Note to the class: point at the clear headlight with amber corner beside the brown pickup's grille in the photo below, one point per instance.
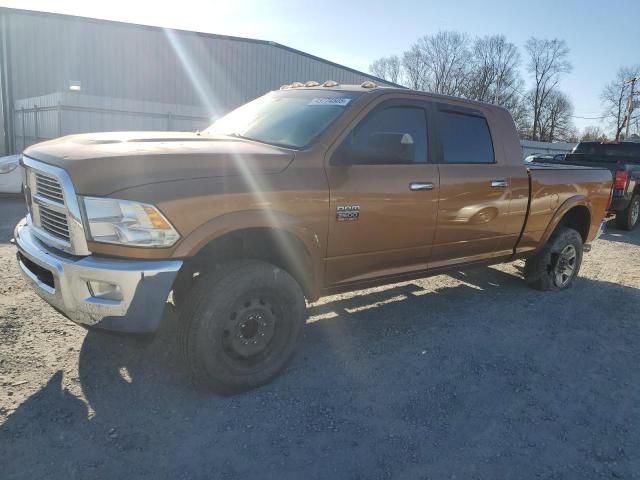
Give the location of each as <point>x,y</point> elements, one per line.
<point>127,223</point>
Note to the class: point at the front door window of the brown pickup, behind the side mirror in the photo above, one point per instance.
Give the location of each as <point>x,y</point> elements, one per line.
<point>388,135</point>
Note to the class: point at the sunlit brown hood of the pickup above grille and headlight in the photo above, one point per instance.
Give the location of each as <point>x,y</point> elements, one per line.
<point>104,163</point>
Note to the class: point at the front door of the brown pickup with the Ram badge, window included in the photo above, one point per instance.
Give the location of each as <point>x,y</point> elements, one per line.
<point>383,195</point>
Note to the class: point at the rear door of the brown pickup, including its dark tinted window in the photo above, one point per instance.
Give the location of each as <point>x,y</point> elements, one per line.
<point>474,191</point>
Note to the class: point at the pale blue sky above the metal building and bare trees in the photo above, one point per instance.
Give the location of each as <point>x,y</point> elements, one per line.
<point>602,35</point>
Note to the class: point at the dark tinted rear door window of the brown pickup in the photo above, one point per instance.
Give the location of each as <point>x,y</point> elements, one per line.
<point>465,138</point>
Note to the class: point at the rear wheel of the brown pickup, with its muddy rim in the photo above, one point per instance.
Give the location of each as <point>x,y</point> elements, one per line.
<point>556,266</point>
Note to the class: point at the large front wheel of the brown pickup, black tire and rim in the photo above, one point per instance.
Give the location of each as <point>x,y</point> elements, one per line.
<point>240,325</point>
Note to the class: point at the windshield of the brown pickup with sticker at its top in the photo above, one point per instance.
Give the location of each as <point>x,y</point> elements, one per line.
<point>289,118</point>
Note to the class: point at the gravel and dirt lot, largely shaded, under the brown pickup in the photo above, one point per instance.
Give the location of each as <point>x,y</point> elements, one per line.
<point>471,375</point>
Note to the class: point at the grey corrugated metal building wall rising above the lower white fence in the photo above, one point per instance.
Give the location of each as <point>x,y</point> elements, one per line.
<point>147,64</point>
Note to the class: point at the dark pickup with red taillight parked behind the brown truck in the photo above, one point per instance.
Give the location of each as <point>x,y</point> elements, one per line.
<point>623,160</point>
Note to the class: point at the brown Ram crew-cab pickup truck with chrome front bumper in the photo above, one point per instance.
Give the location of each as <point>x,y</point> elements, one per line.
<point>307,191</point>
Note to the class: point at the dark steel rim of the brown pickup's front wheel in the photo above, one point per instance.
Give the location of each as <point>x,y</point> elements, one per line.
<point>250,329</point>
